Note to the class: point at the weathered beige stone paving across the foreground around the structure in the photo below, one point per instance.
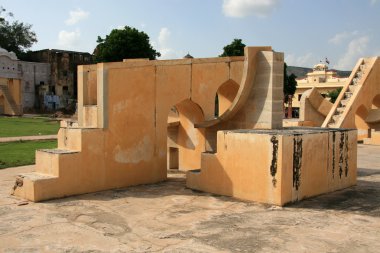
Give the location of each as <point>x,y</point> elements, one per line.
<point>167,217</point>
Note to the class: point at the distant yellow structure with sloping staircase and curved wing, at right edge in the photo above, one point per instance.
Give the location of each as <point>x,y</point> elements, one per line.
<point>357,106</point>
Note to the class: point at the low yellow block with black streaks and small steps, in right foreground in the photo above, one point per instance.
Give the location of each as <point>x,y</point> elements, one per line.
<point>278,166</point>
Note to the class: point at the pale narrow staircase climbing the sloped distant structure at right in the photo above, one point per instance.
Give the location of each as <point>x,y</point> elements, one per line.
<point>347,95</point>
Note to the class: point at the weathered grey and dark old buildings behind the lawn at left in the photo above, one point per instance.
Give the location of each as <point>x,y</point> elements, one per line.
<point>48,81</point>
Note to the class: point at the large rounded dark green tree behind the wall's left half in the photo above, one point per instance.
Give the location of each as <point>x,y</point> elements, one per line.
<point>124,43</point>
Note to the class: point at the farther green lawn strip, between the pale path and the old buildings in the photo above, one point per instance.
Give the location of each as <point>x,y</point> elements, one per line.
<point>14,126</point>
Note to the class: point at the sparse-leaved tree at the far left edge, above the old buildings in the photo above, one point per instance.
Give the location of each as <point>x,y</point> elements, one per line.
<point>15,36</point>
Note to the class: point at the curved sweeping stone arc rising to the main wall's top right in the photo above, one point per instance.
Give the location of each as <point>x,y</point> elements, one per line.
<point>249,73</point>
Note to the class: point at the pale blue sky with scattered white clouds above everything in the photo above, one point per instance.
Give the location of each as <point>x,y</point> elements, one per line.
<point>306,31</point>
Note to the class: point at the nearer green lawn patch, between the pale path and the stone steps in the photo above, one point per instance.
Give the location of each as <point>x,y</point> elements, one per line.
<point>20,153</point>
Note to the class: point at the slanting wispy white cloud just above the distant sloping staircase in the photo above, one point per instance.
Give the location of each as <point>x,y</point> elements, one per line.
<point>355,49</point>
